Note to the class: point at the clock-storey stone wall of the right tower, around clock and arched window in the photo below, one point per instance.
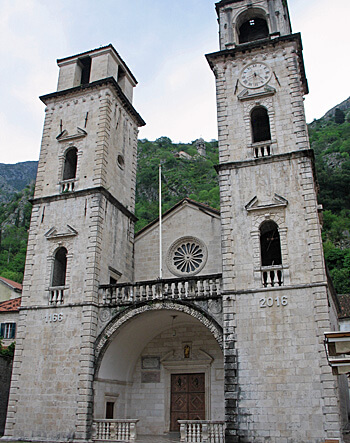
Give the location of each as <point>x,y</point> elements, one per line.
<point>283,101</point>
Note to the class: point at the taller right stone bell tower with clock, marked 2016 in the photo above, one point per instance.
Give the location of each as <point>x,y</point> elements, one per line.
<point>277,301</point>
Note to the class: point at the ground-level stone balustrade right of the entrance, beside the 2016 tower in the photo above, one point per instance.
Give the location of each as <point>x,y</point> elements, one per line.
<point>202,431</point>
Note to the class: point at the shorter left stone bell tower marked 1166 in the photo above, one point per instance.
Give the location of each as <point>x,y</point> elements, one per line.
<point>83,205</point>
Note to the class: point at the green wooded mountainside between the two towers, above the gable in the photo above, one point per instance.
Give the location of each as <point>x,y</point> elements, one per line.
<point>184,174</point>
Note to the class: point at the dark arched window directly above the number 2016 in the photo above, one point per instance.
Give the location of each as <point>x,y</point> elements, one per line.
<point>270,244</point>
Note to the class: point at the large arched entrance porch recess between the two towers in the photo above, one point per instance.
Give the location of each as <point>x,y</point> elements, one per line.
<point>160,363</point>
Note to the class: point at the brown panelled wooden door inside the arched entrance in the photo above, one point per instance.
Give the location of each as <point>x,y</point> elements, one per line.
<point>187,398</point>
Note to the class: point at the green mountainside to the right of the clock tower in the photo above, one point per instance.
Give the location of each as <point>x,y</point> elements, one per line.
<point>330,139</point>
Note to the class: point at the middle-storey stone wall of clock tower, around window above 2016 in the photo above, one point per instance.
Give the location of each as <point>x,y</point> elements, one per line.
<point>288,176</point>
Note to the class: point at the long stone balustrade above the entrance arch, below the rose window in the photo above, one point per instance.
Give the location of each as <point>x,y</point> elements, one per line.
<point>208,286</point>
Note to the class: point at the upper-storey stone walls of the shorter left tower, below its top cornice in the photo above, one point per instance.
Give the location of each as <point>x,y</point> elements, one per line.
<point>105,139</point>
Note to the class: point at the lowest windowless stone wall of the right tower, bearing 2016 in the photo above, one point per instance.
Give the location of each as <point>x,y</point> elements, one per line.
<point>286,388</point>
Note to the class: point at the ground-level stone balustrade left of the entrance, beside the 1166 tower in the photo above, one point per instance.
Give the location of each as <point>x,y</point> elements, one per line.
<point>114,430</point>
